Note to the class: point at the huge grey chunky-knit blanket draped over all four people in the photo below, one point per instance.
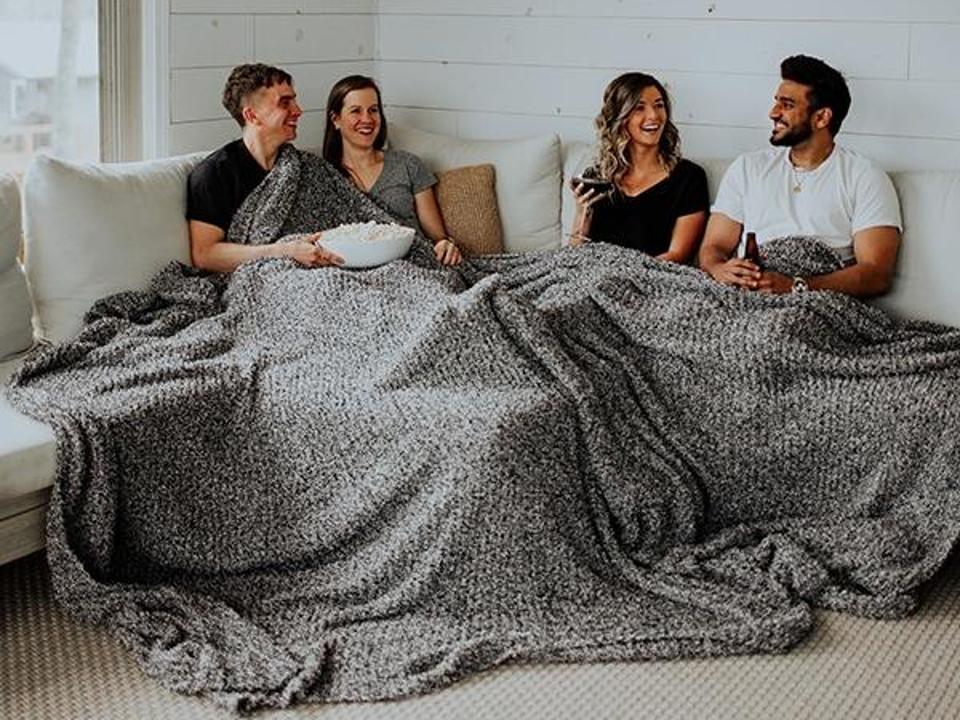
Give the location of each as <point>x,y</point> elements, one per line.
<point>291,484</point>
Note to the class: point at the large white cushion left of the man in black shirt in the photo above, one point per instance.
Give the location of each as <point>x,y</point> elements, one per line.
<point>95,229</point>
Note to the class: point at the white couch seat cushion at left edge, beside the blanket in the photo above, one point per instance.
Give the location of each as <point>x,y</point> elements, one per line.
<point>28,449</point>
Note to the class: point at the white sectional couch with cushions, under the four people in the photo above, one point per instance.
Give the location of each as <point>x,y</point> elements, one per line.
<point>90,230</point>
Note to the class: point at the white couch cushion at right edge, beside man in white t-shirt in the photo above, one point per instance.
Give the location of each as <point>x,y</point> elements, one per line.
<point>925,286</point>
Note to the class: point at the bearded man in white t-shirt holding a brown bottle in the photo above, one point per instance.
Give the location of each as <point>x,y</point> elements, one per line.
<point>806,185</point>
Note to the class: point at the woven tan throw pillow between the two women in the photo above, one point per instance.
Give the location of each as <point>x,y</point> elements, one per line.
<point>468,203</point>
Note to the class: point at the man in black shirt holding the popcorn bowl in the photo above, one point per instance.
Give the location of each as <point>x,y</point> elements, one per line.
<point>262,101</point>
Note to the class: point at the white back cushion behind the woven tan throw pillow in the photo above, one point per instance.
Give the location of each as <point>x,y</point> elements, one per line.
<point>527,178</point>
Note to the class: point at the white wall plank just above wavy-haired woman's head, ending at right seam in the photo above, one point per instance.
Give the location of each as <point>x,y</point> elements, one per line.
<point>863,50</point>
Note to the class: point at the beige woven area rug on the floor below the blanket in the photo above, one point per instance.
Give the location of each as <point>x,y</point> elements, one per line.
<point>53,668</point>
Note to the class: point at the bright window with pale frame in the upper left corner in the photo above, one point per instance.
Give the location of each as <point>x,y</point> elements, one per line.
<point>70,79</point>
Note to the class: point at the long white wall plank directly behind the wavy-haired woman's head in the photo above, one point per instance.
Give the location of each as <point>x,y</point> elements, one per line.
<point>881,107</point>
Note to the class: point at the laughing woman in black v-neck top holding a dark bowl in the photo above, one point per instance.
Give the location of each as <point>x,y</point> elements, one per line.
<point>657,202</point>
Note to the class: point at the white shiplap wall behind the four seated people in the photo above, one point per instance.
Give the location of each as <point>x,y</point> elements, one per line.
<point>509,68</point>
